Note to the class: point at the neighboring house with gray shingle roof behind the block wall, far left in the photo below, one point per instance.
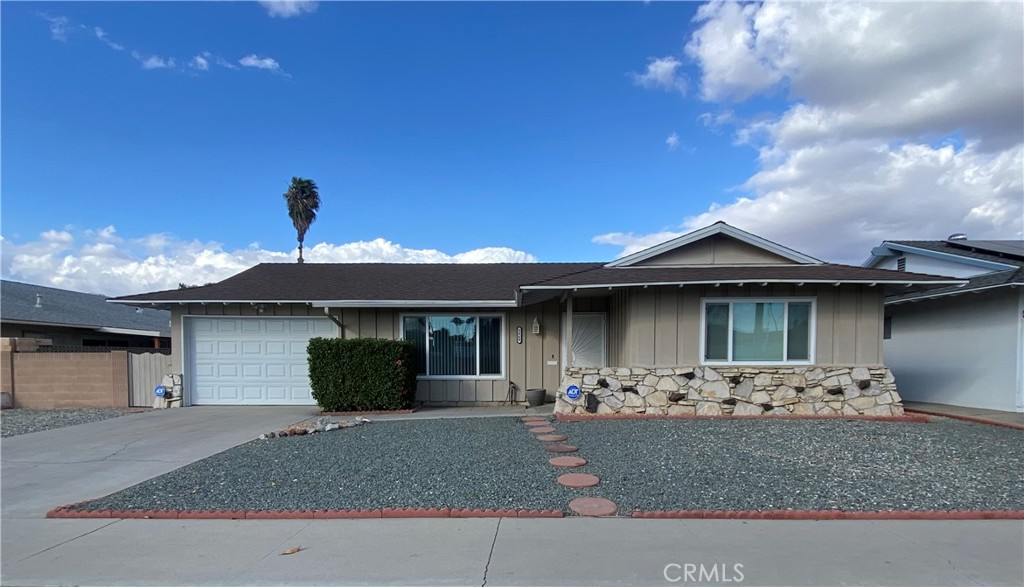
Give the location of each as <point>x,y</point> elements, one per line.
<point>75,319</point>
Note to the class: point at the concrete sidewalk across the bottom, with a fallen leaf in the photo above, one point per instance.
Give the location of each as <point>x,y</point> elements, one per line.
<point>570,552</point>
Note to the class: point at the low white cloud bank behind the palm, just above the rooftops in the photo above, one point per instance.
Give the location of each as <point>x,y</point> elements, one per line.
<point>103,262</point>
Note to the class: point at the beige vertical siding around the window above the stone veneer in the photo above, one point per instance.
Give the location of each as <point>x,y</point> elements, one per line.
<point>661,326</point>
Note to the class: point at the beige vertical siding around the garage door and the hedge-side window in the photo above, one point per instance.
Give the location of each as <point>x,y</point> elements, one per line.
<point>527,364</point>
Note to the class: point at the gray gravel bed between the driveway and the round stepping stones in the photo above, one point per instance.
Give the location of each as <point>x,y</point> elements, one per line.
<point>465,463</point>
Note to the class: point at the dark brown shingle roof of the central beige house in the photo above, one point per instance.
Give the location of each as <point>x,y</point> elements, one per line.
<point>485,282</point>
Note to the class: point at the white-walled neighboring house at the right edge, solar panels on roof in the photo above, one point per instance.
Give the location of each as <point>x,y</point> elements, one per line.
<point>958,346</point>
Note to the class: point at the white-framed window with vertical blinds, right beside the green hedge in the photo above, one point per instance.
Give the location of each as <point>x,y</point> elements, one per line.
<point>457,346</point>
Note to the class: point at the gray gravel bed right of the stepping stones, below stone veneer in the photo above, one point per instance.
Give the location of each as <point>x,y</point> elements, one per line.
<point>802,465</point>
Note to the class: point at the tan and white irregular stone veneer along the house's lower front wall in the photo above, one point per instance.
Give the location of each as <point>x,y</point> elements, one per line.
<point>737,391</point>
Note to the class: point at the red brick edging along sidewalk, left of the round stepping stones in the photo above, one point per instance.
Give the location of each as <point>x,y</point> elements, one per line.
<point>388,513</point>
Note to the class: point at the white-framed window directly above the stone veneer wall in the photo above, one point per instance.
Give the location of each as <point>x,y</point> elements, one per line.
<point>757,331</point>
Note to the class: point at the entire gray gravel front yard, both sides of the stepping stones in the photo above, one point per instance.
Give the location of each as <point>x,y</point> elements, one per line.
<point>644,465</point>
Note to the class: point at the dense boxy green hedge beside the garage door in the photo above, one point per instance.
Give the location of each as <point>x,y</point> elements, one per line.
<point>362,374</point>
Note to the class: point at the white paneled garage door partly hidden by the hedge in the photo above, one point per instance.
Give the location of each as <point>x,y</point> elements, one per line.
<point>251,361</point>
